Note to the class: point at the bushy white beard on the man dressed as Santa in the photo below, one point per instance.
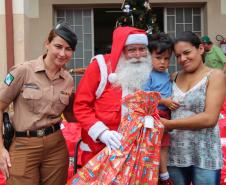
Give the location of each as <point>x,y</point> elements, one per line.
<point>133,73</point>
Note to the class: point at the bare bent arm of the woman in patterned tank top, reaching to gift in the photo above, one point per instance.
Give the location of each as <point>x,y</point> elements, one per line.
<point>216,91</point>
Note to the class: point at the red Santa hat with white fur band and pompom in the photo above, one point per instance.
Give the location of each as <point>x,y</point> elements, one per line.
<point>123,36</point>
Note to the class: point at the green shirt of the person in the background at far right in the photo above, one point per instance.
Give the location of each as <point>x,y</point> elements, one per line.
<point>215,58</point>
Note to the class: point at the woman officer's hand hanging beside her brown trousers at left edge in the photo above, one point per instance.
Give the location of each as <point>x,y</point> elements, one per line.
<point>5,162</point>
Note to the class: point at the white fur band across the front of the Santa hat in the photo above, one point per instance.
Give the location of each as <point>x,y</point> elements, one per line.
<point>137,39</point>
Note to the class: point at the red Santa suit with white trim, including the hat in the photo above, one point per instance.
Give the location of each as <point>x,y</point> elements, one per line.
<point>95,110</point>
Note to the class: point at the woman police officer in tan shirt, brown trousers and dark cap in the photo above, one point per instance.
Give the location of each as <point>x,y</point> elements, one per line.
<point>39,90</point>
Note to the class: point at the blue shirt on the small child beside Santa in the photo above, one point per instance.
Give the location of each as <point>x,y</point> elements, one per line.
<point>160,82</point>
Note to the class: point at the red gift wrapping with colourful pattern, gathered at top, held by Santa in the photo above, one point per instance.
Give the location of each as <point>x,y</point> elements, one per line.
<point>137,160</point>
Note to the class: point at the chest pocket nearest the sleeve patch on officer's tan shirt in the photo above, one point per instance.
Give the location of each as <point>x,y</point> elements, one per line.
<point>32,98</point>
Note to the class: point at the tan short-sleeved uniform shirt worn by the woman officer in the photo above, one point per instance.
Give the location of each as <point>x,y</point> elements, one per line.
<point>38,100</point>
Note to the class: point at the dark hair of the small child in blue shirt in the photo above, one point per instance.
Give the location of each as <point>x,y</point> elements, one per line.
<point>160,42</point>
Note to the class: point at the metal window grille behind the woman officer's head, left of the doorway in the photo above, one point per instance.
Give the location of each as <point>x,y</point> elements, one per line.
<point>81,20</point>
